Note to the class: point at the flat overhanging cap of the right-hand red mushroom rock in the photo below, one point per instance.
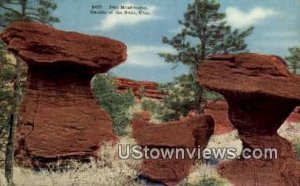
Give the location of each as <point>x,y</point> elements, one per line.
<point>249,73</point>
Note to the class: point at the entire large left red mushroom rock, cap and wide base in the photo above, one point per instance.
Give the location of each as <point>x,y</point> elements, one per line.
<point>59,117</point>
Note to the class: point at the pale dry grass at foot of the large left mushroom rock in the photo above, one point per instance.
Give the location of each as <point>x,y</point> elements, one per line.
<point>109,170</point>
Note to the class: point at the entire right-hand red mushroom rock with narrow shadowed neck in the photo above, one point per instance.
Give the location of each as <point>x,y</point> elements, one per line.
<point>261,93</point>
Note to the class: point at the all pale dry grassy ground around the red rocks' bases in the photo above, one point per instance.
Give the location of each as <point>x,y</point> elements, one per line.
<point>109,170</point>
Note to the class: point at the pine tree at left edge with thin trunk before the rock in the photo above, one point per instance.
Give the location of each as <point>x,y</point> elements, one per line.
<point>19,10</point>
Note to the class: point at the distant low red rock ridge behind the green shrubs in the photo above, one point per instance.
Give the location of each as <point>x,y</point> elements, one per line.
<point>140,88</point>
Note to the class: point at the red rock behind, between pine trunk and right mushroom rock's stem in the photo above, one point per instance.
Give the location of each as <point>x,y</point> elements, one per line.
<point>219,112</point>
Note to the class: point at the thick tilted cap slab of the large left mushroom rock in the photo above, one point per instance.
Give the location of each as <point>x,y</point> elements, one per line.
<point>39,44</point>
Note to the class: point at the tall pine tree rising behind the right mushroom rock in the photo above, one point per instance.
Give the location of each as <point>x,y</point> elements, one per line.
<point>204,33</point>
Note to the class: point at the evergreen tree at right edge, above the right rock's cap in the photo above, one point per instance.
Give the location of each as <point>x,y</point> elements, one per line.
<point>294,60</point>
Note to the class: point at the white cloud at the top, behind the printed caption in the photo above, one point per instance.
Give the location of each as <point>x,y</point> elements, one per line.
<point>113,20</point>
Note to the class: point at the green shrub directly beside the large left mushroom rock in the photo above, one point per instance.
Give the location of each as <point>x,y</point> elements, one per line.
<point>116,104</point>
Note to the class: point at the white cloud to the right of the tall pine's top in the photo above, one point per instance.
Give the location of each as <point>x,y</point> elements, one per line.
<point>238,19</point>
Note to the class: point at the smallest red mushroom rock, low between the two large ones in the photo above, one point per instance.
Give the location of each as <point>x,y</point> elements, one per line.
<point>189,133</point>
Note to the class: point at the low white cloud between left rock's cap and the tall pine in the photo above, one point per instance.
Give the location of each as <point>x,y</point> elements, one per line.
<point>146,55</point>
